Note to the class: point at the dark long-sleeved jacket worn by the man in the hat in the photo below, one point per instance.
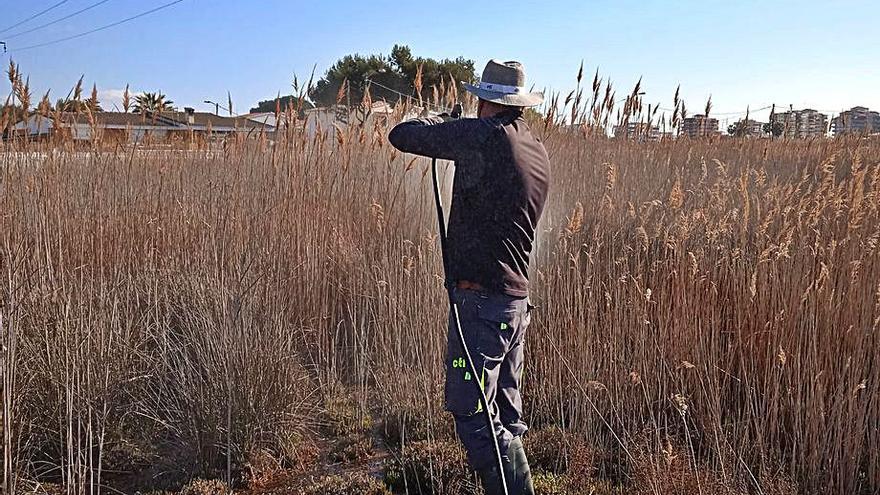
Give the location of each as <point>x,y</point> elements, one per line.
<point>501,179</point>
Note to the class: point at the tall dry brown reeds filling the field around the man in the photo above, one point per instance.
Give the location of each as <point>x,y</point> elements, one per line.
<point>185,312</point>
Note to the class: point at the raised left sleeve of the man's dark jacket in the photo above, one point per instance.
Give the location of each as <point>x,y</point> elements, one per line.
<point>432,137</point>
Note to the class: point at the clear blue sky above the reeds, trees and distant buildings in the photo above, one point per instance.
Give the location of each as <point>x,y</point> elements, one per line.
<point>823,55</point>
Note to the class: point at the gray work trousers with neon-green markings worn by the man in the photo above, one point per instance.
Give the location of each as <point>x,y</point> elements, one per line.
<point>494,328</point>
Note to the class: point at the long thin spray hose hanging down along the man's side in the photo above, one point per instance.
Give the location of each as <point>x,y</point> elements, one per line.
<point>453,310</point>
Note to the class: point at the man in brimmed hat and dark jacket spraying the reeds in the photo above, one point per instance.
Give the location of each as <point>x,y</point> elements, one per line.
<point>501,179</point>
